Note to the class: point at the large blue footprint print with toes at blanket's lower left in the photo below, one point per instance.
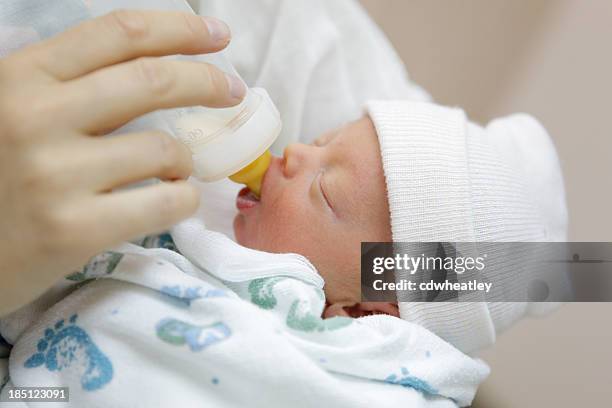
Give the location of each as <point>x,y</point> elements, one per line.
<point>70,347</point>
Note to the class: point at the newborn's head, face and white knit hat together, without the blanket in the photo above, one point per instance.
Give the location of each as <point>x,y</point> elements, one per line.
<point>437,177</point>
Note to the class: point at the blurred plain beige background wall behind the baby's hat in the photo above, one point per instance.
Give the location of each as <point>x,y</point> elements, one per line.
<point>553,59</point>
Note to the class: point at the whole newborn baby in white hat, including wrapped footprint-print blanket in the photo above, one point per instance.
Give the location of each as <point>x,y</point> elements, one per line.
<point>210,320</point>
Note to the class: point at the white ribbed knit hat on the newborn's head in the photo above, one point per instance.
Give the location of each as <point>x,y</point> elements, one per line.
<point>450,180</point>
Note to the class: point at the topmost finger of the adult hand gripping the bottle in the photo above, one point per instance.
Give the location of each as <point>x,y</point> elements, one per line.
<point>124,35</point>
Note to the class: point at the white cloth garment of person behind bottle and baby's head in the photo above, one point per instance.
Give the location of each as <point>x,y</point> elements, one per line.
<point>319,60</point>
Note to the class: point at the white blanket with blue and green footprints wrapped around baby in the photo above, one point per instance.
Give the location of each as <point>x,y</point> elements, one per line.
<point>157,330</point>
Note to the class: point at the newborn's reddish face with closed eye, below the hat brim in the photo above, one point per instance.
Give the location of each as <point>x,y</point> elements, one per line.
<point>321,201</point>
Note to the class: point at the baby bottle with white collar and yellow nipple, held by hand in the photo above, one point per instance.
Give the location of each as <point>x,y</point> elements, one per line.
<point>224,141</point>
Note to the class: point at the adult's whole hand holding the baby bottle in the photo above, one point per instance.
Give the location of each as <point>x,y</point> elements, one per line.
<point>57,177</point>
